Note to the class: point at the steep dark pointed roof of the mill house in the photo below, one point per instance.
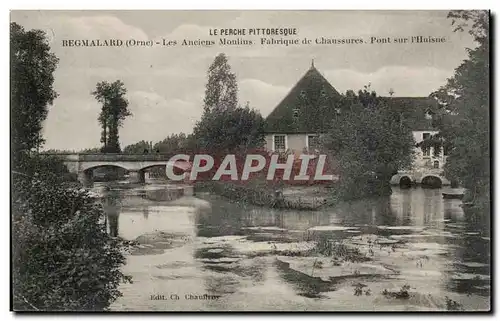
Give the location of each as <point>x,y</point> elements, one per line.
<point>310,100</point>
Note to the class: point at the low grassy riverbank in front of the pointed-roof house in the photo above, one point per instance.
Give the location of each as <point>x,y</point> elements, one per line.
<point>262,194</point>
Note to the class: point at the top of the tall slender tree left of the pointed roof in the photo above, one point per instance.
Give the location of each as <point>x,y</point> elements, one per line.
<point>221,90</point>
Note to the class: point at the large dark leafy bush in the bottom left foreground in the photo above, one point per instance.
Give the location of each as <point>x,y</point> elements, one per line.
<point>63,258</point>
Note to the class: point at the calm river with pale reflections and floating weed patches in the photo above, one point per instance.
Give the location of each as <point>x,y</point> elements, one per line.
<point>208,254</point>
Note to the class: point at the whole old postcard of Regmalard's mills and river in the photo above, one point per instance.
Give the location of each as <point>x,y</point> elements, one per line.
<point>250,161</point>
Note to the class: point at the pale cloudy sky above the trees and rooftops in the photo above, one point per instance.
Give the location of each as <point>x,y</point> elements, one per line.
<point>166,85</point>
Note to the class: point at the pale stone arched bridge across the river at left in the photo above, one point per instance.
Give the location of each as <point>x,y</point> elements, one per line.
<point>136,164</point>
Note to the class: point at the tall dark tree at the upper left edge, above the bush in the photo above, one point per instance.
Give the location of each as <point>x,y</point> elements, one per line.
<point>32,65</point>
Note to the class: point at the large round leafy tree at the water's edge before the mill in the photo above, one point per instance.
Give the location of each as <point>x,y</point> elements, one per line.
<point>369,144</point>
